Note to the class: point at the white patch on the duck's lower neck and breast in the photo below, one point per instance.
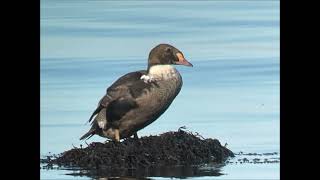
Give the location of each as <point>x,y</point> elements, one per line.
<point>160,72</point>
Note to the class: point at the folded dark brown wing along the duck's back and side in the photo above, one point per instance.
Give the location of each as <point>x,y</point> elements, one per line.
<point>119,99</point>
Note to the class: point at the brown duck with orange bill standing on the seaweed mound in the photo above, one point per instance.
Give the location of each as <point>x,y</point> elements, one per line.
<point>138,98</point>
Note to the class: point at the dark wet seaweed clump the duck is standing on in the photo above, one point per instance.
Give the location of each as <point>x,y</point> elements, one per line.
<point>171,148</point>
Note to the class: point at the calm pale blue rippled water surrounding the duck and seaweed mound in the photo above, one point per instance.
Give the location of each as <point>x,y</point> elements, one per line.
<point>231,93</point>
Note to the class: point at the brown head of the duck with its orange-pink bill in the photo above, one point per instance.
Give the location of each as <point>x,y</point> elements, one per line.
<point>164,54</point>
